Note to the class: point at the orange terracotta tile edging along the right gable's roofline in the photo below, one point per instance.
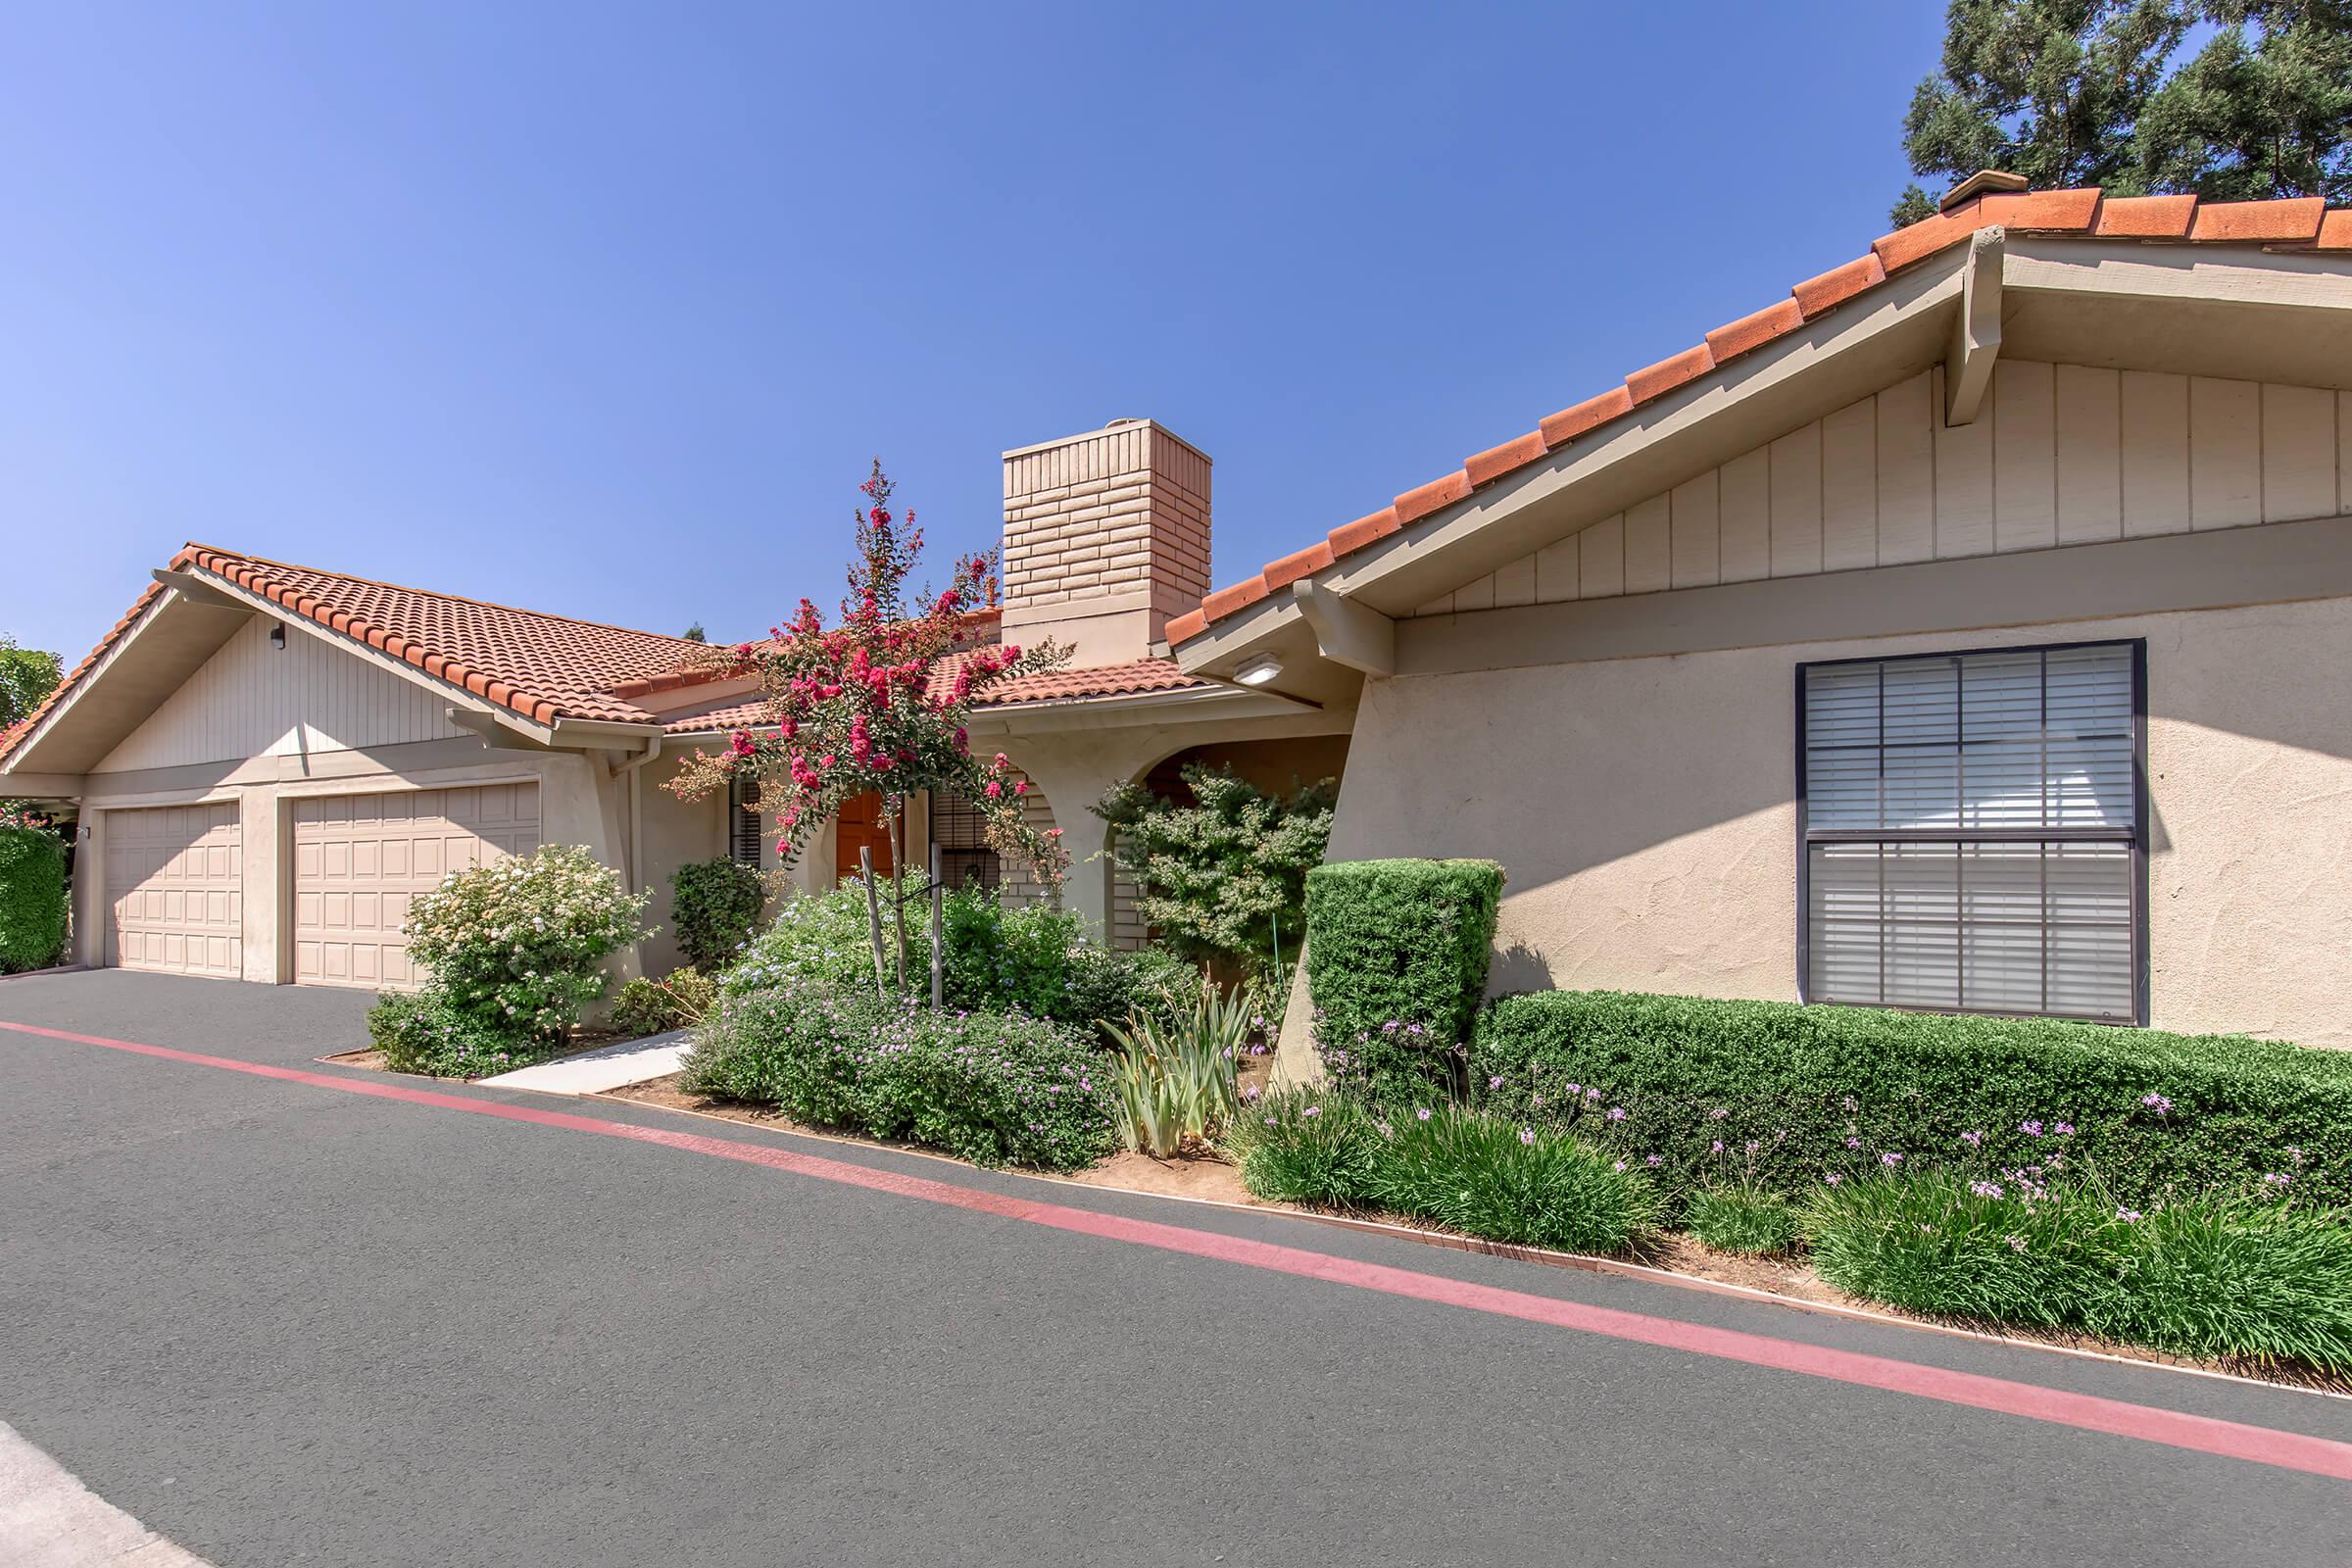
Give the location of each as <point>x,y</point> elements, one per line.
<point>2304,225</point>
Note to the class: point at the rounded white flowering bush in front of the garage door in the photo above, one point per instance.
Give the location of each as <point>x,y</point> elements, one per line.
<point>521,946</point>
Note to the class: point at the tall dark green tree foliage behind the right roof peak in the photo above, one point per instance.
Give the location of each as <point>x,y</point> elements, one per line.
<point>2229,100</point>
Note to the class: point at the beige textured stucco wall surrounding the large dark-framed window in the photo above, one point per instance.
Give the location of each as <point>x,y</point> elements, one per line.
<point>1645,810</point>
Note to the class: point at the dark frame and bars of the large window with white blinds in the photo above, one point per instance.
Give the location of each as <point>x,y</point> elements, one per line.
<point>2137,836</point>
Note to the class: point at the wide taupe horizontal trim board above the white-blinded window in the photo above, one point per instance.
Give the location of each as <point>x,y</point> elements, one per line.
<point>2273,563</point>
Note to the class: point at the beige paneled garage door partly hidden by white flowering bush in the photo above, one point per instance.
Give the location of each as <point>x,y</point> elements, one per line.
<point>359,859</point>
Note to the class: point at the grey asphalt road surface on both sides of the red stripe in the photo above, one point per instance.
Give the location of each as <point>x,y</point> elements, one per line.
<point>288,1325</point>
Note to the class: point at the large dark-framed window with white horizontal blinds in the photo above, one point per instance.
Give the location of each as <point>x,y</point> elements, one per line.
<point>1972,831</point>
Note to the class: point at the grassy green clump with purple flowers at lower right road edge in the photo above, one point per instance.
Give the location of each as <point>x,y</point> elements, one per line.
<point>2210,1278</point>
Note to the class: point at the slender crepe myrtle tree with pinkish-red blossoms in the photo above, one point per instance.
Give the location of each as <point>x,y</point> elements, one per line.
<point>878,706</point>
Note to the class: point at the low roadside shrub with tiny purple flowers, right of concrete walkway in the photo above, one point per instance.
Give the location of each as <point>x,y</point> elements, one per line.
<point>996,1090</point>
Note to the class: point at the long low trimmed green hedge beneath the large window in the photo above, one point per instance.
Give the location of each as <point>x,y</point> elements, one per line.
<point>1789,1094</point>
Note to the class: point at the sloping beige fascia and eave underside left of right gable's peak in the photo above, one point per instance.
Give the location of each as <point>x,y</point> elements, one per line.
<point>1840,356</point>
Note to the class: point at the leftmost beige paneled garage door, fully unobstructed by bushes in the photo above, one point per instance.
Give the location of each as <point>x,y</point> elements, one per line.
<point>175,883</point>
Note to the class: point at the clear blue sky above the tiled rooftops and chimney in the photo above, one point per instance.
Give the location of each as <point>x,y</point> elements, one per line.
<point>606,309</point>
